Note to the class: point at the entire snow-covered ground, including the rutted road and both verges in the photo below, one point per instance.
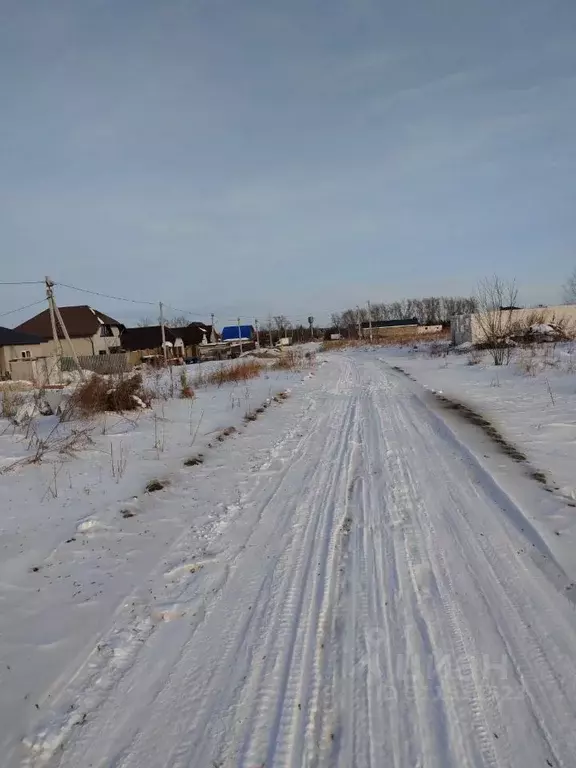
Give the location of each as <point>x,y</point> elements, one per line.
<point>358,578</point>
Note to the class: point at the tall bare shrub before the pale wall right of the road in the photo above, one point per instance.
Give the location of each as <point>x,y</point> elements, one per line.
<point>496,300</point>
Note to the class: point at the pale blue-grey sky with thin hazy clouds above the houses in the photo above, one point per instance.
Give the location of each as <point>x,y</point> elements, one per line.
<point>247,156</point>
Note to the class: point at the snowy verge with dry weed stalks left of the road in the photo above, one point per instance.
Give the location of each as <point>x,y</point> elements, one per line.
<point>78,534</point>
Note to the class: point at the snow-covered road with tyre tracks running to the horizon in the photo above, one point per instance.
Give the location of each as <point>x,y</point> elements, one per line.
<point>371,598</point>
